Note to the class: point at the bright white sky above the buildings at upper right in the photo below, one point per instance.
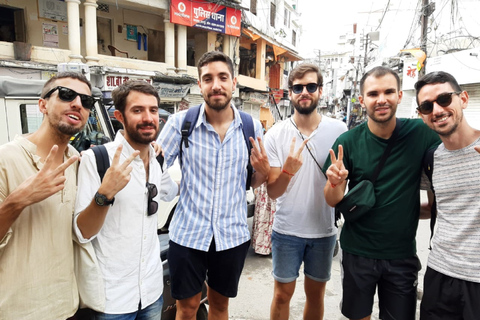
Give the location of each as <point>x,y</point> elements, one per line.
<point>324,21</point>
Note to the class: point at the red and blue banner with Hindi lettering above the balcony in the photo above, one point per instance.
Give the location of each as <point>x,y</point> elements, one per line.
<point>206,15</point>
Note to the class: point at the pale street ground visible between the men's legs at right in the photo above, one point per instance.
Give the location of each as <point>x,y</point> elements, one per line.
<point>256,286</point>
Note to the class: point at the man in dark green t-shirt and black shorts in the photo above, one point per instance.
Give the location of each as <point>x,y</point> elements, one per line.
<point>378,249</point>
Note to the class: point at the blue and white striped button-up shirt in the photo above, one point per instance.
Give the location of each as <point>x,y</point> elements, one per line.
<point>212,200</point>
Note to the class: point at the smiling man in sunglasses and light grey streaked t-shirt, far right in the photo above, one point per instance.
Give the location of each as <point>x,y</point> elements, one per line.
<point>452,280</point>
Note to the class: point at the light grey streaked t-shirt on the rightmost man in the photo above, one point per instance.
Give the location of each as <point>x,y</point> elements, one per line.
<point>456,240</point>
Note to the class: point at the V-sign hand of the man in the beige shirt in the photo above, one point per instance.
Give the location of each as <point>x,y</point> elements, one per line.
<point>48,180</point>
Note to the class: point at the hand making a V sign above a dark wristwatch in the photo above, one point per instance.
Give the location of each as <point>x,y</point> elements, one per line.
<point>118,175</point>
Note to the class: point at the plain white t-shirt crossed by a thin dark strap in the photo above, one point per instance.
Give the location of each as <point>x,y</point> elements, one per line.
<point>302,210</point>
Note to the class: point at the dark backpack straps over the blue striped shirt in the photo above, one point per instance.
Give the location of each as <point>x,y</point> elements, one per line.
<point>247,128</point>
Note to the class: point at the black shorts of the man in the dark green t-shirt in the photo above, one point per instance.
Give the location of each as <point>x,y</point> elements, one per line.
<point>397,287</point>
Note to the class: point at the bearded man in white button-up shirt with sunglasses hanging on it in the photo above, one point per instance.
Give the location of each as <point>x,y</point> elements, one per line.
<point>118,214</point>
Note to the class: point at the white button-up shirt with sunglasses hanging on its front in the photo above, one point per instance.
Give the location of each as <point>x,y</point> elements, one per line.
<point>127,246</point>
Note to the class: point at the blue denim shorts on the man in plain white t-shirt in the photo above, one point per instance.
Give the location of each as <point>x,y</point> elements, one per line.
<point>288,253</point>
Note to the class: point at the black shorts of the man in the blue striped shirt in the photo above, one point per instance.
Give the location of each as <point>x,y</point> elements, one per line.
<point>190,267</point>
